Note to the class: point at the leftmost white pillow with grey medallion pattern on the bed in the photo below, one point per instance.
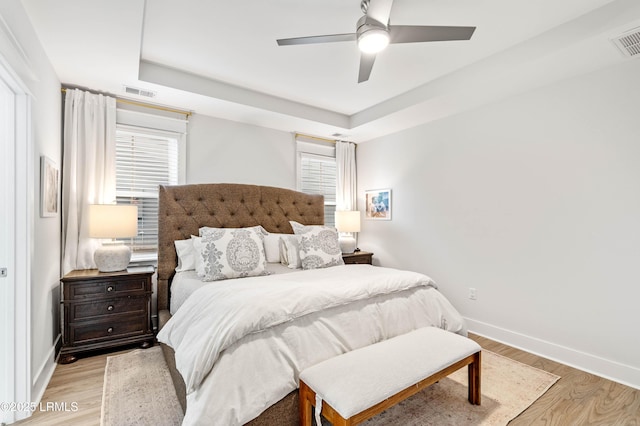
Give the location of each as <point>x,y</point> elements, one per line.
<point>233,253</point>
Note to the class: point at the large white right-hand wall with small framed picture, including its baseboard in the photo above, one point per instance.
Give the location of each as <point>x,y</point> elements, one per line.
<point>533,201</point>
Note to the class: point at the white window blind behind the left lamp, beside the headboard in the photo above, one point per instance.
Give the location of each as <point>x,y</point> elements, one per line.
<point>144,160</point>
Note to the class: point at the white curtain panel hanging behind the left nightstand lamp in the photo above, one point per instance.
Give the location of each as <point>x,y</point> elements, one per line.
<point>88,171</point>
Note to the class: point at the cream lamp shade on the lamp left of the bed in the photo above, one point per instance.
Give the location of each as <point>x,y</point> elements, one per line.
<point>113,221</point>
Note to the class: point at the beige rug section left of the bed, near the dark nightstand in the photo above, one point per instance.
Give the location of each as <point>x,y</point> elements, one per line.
<point>138,391</point>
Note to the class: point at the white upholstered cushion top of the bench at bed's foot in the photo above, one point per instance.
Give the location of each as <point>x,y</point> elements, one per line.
<point>360,379</point>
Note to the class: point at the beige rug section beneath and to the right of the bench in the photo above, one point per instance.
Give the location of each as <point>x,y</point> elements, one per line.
<point>508,388</point>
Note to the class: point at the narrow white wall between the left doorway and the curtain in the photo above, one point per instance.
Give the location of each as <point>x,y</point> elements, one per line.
<point>36,72</point>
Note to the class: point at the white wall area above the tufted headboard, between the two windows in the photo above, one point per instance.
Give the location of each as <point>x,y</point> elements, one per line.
<point>223,151</point>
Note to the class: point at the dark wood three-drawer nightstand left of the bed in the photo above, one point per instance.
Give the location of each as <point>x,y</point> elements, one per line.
<point>105,309</point>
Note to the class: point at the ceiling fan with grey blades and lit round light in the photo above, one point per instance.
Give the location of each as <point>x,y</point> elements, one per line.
<point>374,33</point>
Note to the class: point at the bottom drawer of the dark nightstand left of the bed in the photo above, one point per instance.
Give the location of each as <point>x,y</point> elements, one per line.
<point>106,330</point>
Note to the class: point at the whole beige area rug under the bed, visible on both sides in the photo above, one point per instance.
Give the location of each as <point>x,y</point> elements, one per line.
<point>132,382</point>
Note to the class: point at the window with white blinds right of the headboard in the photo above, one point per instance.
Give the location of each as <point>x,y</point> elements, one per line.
<point>317,174</point>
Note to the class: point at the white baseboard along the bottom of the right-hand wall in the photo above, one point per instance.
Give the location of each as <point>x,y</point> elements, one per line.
<point>612,370</point>
